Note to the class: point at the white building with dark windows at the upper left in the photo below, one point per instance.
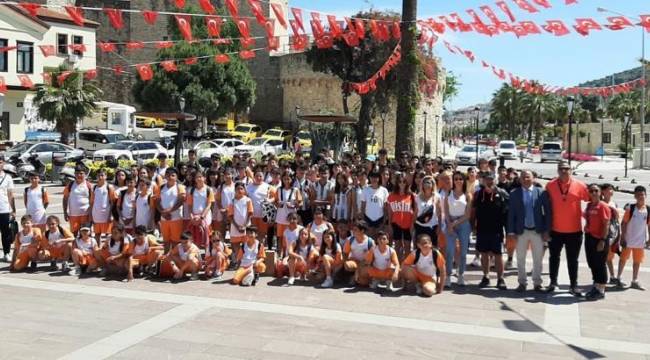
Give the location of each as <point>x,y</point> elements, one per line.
<point>26,33</point>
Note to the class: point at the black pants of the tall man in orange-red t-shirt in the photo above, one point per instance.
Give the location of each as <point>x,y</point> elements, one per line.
<point>572,242</point>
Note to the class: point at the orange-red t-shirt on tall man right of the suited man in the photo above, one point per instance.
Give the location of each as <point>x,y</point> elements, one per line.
<point>566,204</point>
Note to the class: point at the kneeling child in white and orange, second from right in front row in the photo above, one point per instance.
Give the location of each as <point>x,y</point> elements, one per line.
<point>384,265</point>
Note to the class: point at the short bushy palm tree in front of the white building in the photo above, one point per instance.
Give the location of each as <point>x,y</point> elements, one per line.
<point>68,102</point>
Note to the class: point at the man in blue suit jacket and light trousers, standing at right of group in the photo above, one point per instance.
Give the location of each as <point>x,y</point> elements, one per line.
<point>529,223</point>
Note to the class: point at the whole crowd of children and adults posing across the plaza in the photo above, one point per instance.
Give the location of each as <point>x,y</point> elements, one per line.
<point>406,222</point>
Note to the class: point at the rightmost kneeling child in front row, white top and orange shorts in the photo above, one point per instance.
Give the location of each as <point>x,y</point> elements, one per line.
<point>425,267</point>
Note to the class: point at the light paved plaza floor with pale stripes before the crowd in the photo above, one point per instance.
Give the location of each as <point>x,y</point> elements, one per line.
<point>49,315</point>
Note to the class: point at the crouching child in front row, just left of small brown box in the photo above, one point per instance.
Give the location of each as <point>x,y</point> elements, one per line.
<point>251,260</point>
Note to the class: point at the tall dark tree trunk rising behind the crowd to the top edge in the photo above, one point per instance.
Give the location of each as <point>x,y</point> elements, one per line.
<point>407,100</point>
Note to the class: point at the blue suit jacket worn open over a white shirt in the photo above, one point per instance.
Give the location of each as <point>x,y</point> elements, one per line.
<point>541,211</point>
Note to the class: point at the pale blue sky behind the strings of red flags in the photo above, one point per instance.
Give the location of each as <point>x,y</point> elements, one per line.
<point>557,61</point>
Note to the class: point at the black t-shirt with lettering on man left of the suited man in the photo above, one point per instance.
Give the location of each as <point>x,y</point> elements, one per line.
<point>491,211</point>
